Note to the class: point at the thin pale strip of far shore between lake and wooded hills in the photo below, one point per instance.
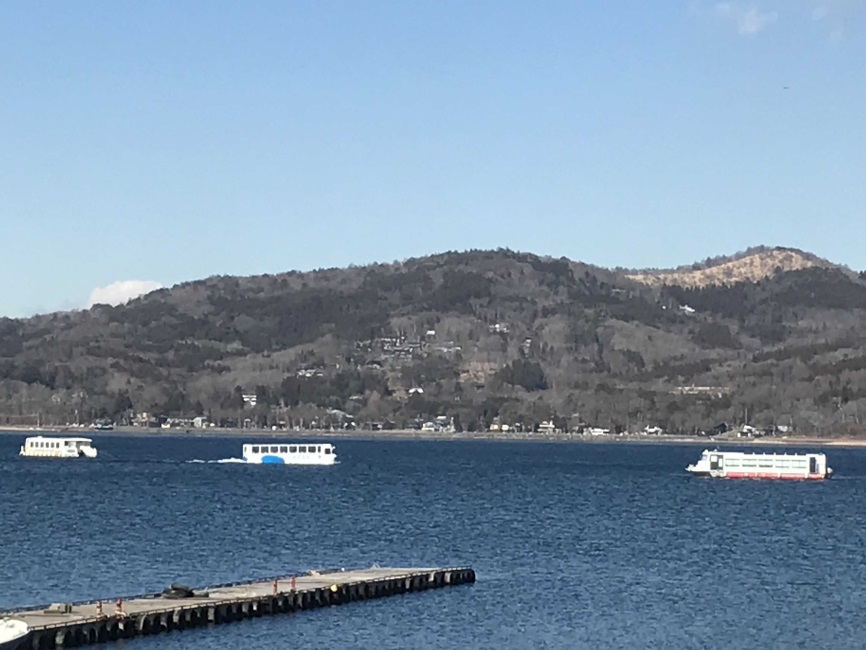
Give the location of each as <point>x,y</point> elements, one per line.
<point>432,436</point>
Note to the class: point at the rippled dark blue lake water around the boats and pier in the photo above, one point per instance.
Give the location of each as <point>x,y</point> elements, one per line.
<point>574,545</point>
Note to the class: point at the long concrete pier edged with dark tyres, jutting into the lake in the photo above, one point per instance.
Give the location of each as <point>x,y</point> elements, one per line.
<point>65,625</point>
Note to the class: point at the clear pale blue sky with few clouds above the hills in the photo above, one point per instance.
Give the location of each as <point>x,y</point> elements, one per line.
<point>143,144</point>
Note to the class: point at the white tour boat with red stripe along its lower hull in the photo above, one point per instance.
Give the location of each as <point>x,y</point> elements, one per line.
<point>736,464</point>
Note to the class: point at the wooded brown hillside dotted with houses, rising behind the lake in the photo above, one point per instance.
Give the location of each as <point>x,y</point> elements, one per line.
<point>477,337</point>
